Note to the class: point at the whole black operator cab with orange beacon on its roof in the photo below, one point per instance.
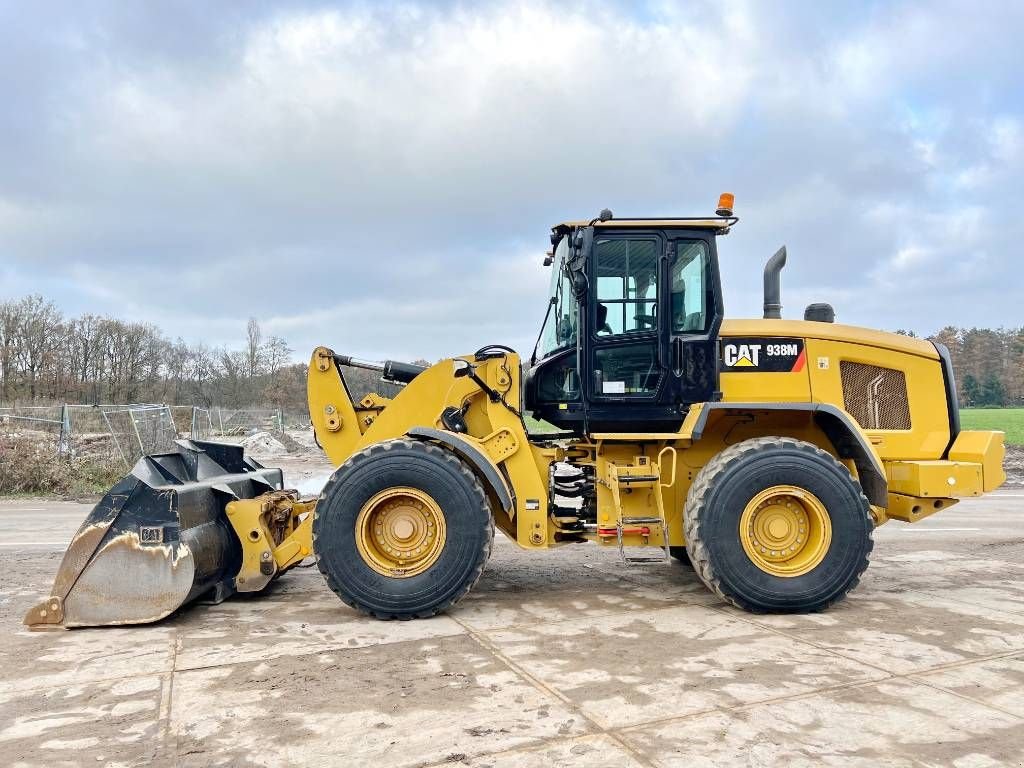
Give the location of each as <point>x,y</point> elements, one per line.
<point>630,339</point>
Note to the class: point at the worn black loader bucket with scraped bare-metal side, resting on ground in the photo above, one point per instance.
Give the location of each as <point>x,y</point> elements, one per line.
<point>157,541</point>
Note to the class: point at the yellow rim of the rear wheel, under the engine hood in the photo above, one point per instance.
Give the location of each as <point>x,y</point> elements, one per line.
<point>786,531</point>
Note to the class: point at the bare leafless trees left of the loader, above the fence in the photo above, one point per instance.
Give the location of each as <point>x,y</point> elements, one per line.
<point>46,357</point>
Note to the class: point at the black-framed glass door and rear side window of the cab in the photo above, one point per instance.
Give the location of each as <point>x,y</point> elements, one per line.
<point>651,337</point>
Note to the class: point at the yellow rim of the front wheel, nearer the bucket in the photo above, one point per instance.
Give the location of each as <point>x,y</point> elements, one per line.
<point>401,533</point>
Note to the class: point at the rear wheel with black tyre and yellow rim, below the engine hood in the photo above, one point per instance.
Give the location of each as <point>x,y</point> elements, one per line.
<point>794,494</point>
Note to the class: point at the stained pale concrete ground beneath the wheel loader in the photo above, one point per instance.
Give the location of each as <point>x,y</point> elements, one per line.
<point>561,659</point>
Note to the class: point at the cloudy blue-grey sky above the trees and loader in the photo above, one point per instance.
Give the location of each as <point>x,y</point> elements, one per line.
<point>381,179</point>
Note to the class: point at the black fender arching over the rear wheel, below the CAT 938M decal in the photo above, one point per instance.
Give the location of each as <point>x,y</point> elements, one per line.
<point>839,428</point>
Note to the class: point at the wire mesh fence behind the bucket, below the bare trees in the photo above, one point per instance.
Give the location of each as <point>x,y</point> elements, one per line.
<point>129,433</point>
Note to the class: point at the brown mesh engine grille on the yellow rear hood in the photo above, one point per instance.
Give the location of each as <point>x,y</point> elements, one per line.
<point>876,397</point>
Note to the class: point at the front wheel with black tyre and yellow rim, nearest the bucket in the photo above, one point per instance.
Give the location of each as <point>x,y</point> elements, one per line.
<point>420,479</point>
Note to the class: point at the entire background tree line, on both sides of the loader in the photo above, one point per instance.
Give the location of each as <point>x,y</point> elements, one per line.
<point>46,357</point>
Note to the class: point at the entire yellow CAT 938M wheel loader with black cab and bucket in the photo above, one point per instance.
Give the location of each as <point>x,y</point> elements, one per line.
<point>764,453</point>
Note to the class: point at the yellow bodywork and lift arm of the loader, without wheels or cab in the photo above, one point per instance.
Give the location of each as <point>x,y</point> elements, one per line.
<point>925,472</point>
